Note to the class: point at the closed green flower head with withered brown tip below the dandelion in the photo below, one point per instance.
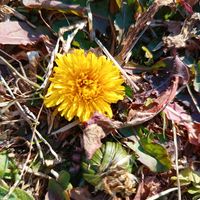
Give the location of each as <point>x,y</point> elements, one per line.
<point>110,170</point>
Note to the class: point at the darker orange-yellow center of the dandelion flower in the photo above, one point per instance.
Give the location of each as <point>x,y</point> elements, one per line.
<point>87,88</point>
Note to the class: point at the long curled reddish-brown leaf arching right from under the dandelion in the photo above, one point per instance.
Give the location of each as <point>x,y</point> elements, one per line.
<point>140,114</point>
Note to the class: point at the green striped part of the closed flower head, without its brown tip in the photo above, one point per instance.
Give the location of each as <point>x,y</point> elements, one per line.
<point>108,157</point>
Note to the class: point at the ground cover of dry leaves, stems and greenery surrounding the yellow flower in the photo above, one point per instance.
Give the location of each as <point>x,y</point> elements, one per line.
<point>150,147</point>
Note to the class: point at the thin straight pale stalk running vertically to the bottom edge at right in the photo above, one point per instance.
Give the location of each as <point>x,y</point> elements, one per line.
<point>176,160</point>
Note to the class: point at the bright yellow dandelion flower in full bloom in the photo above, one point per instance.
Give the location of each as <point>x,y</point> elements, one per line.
<point>82,84</point>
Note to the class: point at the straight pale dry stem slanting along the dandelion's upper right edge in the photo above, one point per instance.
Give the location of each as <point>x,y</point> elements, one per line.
<point>132,84</point>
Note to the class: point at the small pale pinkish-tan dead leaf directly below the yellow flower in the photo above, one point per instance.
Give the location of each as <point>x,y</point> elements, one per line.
<point>92,136</point>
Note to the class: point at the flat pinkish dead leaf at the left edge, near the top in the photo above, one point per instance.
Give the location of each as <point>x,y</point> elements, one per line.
<point>14,32</point>
